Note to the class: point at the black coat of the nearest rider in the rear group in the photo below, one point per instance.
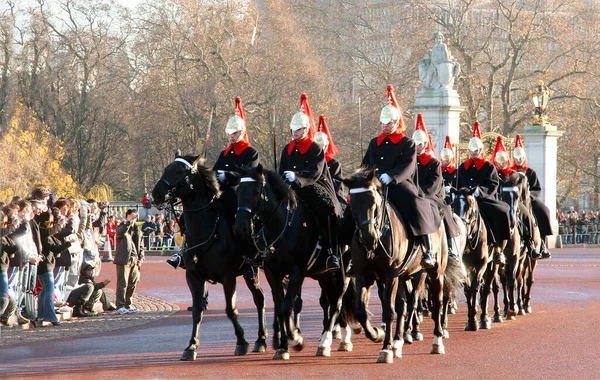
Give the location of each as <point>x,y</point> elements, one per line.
<point>495,213</point>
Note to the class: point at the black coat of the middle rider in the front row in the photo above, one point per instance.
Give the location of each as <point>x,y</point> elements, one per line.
<point>314,184</point>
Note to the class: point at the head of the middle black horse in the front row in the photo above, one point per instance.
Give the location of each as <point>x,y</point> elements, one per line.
<point>260,192</point>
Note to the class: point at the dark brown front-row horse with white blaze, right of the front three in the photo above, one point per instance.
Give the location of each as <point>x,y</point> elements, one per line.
<point>382,250</point>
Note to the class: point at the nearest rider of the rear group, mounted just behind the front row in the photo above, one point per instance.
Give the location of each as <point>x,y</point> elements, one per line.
<point>480,174</point>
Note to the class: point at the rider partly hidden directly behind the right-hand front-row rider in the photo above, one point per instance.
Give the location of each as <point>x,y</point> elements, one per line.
<point>430,181</point>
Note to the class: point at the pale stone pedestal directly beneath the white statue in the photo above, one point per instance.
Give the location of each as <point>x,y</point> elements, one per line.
<point>441,111</point>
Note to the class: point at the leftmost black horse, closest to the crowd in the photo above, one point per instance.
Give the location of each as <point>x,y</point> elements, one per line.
<point>211,253</point>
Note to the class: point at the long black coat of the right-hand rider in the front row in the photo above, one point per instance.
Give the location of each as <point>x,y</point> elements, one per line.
<point>399,162</point>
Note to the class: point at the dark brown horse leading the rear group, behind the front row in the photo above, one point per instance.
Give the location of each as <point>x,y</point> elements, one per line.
<point>477,256</point>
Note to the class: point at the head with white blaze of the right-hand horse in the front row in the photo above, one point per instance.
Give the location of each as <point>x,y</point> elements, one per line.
<point>365,202</point>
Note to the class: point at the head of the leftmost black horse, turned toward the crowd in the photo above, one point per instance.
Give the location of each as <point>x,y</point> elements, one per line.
<point>180,179</point>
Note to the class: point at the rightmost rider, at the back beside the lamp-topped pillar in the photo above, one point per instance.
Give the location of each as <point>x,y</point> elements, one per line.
<point>540,211</point>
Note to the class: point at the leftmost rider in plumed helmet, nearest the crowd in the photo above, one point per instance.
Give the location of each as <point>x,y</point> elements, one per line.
<point>238,154</point>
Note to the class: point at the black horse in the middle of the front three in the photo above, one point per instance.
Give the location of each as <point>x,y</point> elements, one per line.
<point>289,243</point>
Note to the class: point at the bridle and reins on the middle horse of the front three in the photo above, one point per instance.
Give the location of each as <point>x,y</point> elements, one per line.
<point>259,237</point>
